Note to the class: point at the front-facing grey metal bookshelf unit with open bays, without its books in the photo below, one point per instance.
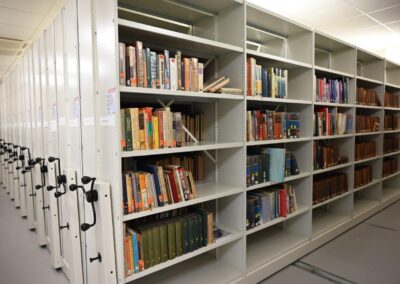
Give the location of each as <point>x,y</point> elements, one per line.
<point>224,35</point>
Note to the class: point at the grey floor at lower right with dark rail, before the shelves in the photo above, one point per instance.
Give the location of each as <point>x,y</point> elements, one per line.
<point>367,254</point>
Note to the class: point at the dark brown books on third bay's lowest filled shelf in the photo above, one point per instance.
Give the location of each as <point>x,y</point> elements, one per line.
<point>327,187</point>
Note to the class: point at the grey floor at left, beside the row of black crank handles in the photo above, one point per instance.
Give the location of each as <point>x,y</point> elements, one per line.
<point>22,261</point>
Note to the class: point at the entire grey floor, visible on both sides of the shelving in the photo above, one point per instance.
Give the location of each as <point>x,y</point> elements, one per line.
<point>368,253</point>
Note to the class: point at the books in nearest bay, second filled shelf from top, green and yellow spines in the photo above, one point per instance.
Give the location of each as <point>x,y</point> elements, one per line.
<point>147,128</point>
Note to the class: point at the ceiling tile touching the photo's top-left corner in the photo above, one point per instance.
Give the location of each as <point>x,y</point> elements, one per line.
<point>40,7</point>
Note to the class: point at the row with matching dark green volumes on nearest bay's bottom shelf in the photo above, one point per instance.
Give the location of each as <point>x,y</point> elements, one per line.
<point>152,242</point>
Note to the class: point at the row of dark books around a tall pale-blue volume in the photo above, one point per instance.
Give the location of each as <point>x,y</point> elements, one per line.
<point>270,164</point>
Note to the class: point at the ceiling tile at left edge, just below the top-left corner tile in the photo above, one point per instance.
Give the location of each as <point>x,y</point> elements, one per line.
<point>13,17</point>
